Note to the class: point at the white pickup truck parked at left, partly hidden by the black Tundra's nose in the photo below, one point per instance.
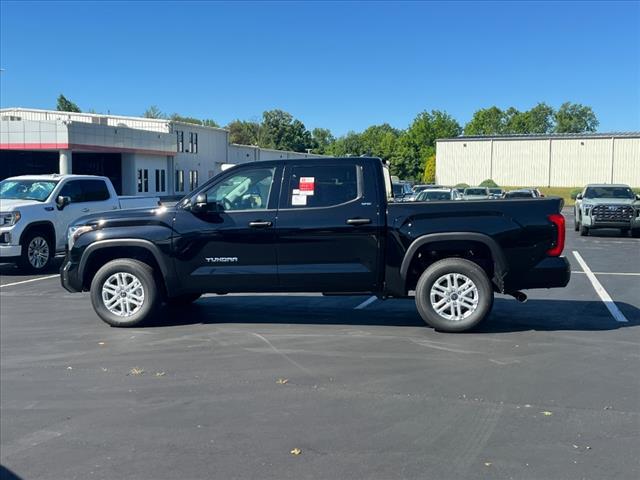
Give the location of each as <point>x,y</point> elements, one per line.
<point>36,211</point>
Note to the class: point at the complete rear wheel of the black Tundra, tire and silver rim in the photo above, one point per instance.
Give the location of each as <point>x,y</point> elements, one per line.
<point>454,295</point>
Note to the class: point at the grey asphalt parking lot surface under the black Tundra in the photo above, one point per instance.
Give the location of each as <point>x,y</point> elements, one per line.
<point>230,386</point>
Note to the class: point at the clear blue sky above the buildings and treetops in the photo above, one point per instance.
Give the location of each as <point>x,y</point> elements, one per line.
<point>339,65</point>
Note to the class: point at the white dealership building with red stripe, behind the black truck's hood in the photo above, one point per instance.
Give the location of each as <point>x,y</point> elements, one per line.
<point>141,156</point>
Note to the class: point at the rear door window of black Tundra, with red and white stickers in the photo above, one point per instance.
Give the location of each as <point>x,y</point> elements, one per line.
<point>322,186</point>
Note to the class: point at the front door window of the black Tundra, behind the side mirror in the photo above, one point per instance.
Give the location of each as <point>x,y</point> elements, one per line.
<point>246,190</point>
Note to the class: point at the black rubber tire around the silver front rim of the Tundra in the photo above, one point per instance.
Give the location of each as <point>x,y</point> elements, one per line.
<point>140,271</point>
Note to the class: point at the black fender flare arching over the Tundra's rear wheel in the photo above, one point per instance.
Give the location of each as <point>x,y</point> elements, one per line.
<point>500,265</point>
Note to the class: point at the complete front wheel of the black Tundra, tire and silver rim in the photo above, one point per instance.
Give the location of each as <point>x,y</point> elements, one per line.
<point>124,293</point>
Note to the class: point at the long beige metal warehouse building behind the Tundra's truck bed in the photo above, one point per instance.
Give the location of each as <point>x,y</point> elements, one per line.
<point>557,160</point>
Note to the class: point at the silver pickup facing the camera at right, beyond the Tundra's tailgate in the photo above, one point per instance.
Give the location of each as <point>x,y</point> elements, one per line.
<point>607,206</point>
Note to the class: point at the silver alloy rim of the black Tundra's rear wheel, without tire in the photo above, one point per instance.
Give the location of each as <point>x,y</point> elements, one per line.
<point>454,296</point>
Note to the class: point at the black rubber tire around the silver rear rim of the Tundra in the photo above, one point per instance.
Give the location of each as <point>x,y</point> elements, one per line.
<point>452,266</point>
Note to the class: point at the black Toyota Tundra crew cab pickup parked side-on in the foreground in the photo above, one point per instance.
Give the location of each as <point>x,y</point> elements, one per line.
<point>316,225</point>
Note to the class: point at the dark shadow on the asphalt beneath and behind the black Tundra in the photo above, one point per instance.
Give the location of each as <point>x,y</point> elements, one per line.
<point>507,315</point>
